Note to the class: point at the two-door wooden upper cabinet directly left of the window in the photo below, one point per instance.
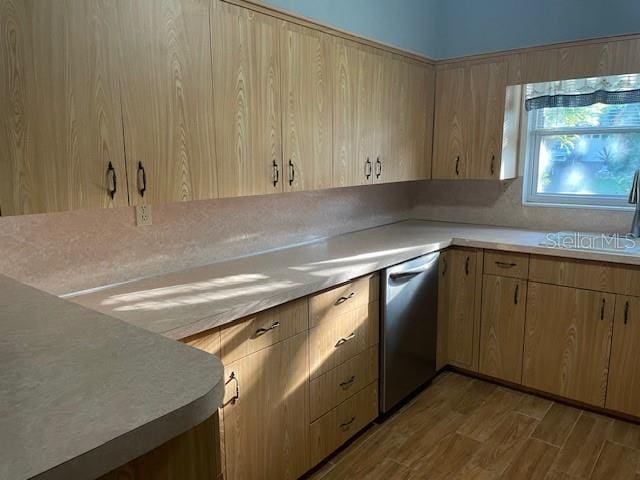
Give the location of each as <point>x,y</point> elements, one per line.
<point>470,112</point>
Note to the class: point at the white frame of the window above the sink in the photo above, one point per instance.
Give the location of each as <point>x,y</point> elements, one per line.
<point>532,139</point>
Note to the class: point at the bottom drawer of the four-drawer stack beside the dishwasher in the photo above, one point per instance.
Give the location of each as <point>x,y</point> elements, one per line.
<point>336,427</point>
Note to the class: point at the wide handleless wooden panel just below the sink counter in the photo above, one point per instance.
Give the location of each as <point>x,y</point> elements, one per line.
<point>599,276</point>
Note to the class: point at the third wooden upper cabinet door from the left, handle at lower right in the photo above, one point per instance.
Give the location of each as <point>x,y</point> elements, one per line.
<point>247,101</point>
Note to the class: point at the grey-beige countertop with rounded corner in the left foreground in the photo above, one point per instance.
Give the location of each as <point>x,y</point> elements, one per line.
<point>82,393</point>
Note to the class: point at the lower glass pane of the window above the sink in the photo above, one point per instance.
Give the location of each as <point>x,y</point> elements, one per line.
<point>588,164</point>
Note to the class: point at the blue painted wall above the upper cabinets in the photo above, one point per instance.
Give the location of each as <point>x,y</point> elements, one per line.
<point>451,28</point>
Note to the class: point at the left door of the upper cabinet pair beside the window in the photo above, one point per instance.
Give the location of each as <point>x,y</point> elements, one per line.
<point>451,142</point>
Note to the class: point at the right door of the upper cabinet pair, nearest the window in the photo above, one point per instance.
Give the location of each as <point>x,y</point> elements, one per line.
<point>487,87</point>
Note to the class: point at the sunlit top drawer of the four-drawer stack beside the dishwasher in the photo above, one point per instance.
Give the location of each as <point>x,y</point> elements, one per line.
<point>343,299</point>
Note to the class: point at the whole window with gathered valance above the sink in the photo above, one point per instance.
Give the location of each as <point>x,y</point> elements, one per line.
<point>579,152</point>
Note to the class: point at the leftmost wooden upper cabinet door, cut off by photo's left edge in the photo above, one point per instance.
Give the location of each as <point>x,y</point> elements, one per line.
<point>61,145</point>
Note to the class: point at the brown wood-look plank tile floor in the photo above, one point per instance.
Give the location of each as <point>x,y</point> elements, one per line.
<point>466,428</point>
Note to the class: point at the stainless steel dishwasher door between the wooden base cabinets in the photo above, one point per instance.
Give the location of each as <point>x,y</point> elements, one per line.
<point>408,328</point>
